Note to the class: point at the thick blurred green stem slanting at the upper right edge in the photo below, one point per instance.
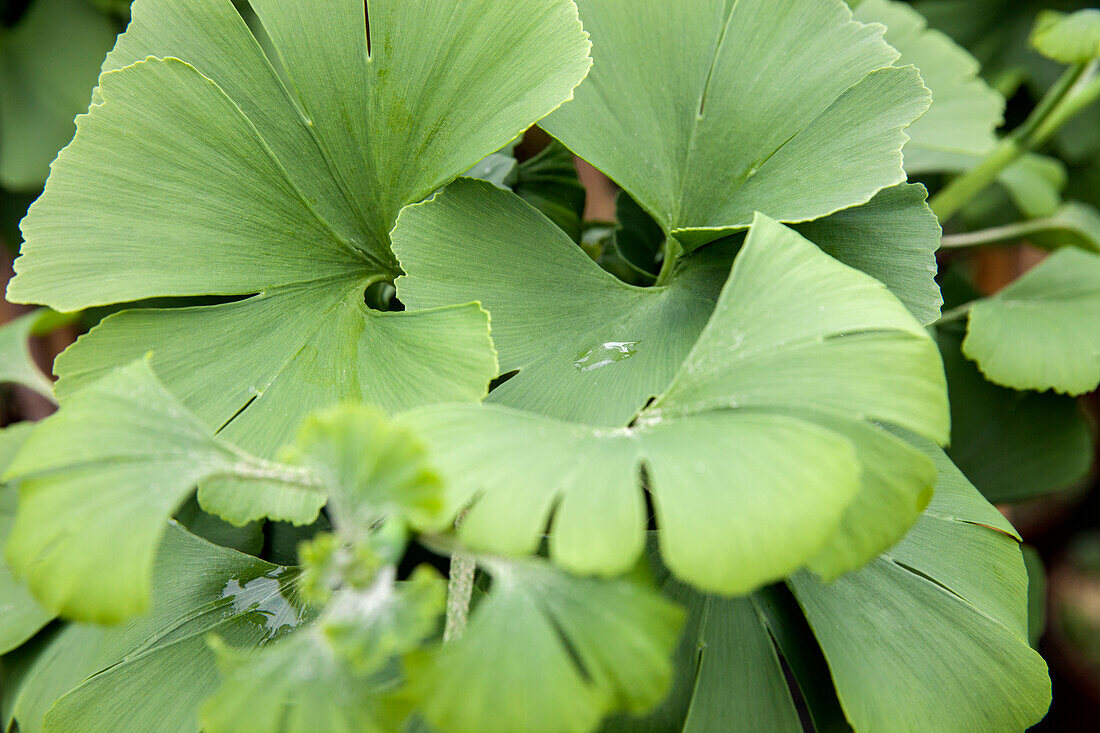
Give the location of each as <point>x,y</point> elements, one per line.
<point>1077,89</point>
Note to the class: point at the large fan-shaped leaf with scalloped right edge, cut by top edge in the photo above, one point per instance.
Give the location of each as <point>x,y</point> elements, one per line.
<point>721,126</point>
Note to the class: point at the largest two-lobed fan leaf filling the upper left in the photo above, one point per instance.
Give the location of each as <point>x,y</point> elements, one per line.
<point>285,191</point>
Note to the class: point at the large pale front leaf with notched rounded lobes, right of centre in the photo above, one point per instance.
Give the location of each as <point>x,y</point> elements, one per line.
<point>744,403</point>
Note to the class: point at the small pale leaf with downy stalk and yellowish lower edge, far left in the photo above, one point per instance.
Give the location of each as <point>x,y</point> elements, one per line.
<point>92,517</point>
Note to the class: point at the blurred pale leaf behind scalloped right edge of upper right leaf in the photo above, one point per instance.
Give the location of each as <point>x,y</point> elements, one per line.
<point>965,112</point>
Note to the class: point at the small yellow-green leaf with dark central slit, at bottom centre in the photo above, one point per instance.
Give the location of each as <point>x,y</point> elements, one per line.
<point>546,651</point>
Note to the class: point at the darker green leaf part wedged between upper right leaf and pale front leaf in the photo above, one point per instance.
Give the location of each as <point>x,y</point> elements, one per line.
<point>893,238</point>
